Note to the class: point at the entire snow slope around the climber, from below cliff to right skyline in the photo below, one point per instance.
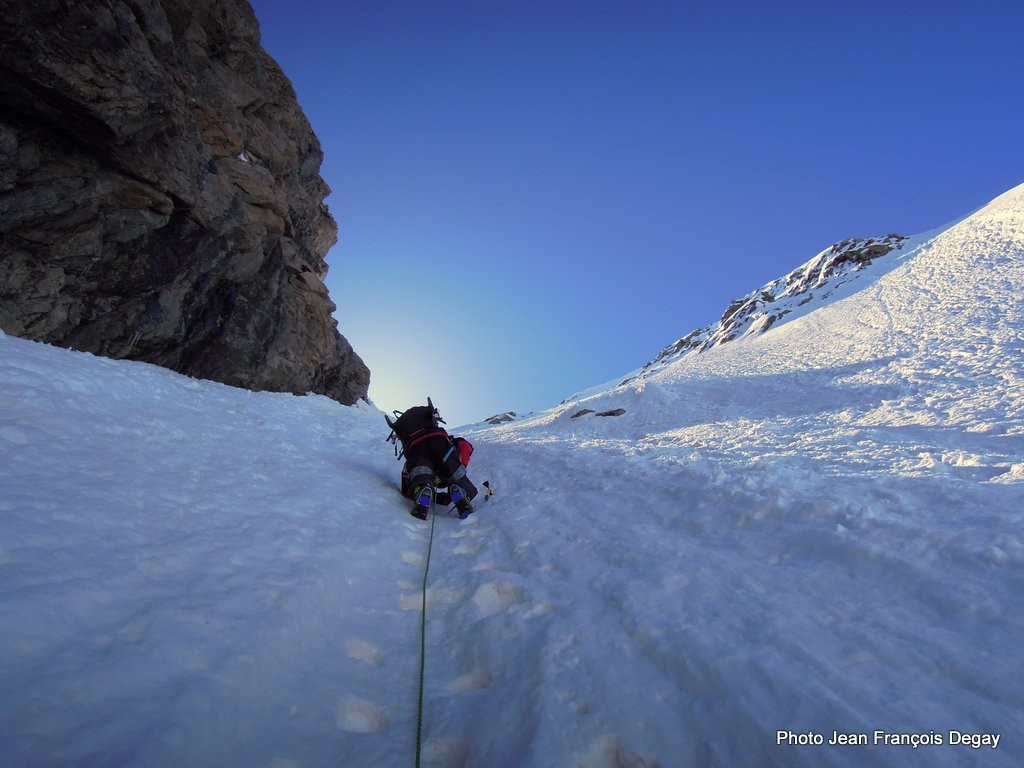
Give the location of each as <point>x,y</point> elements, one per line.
<point>814,530</point>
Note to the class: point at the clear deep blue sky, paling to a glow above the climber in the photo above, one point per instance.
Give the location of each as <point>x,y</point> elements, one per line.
<point>535,198</point>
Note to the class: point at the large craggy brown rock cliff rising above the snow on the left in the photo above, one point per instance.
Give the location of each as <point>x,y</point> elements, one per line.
<point>161,198</point>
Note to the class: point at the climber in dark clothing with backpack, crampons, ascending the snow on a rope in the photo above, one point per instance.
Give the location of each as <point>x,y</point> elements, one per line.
<point>434,459</point>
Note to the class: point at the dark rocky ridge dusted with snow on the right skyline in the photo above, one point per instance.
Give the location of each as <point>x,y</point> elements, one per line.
<point>809,286</point>
